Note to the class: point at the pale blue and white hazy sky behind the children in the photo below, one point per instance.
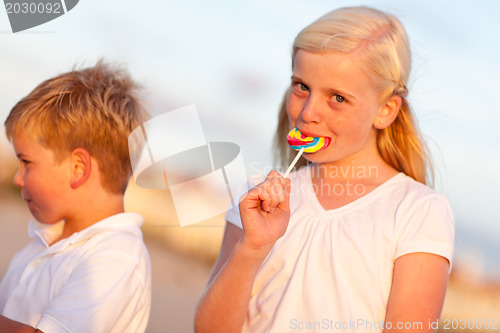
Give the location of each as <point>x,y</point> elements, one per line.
<point>232,60</point>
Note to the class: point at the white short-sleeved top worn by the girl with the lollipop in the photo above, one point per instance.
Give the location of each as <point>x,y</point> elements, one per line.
<point>332,270</point>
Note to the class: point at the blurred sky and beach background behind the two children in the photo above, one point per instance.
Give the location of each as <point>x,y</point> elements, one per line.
<point>232,60</point>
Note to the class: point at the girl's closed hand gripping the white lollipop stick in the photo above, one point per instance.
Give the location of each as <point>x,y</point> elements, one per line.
<point>265,212</point>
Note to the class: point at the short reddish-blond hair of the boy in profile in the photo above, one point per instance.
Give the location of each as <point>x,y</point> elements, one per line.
<point>94,108</point>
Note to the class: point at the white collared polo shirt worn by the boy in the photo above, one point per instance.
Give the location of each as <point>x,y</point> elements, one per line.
<point>96,280</point>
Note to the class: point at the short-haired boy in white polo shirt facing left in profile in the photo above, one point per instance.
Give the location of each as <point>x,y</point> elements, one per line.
<point>89,270</point>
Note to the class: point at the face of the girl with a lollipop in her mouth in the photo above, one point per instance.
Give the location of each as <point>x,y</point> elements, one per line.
<point>330,95</point>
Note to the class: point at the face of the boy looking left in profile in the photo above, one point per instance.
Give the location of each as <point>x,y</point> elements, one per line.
<point>44,184</point>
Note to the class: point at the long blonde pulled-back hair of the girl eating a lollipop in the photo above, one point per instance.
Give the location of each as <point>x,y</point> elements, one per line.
<point>383,43</point>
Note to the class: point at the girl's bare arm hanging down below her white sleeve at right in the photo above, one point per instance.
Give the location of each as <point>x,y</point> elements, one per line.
<point>417,293</point>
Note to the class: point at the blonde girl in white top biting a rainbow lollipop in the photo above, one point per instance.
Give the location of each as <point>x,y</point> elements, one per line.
<point>354,241</point>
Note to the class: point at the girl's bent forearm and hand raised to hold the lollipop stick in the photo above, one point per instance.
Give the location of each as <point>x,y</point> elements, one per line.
<point>264,213</point>
